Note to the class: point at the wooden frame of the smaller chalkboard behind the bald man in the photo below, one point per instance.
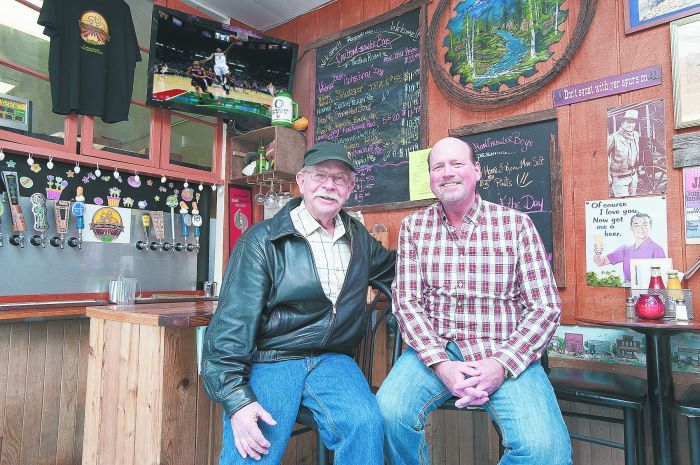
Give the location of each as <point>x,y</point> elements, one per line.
<point>558,245</point>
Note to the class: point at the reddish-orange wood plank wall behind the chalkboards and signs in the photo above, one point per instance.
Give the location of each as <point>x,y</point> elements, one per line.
<point>605,51</point>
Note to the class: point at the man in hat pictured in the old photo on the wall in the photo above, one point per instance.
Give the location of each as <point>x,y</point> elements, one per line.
<point>623,156</point>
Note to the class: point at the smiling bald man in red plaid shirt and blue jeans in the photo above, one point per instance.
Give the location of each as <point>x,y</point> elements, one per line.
<point>477,304</point>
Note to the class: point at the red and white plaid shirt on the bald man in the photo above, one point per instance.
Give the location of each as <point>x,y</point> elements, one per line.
<point>487,287</point>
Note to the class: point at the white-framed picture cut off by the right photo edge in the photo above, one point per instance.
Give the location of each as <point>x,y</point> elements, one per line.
<point>685,57</point>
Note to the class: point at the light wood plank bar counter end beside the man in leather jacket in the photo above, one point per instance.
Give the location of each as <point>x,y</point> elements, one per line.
<point>145,403</point>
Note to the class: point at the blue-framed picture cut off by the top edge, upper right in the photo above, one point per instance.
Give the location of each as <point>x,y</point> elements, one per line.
<point>642,14</point>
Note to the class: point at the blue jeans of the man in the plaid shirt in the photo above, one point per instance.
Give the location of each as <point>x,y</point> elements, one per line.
<point>525,410</point>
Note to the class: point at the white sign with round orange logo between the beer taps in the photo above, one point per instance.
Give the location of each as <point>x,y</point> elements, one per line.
<point>107,224</point>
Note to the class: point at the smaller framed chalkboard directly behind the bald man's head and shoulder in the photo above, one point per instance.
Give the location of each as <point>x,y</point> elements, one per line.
<point>517,164</point>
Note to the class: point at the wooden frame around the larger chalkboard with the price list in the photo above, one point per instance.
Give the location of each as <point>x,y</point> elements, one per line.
<point>423,132</point>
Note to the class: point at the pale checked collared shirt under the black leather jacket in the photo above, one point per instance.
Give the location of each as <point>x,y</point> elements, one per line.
<point>331,253</point>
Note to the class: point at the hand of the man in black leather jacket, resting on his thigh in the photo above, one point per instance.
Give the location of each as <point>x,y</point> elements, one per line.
<point>247,436</point>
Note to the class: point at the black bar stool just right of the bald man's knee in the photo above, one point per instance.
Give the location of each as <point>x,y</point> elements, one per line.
<point>604,389</point>
